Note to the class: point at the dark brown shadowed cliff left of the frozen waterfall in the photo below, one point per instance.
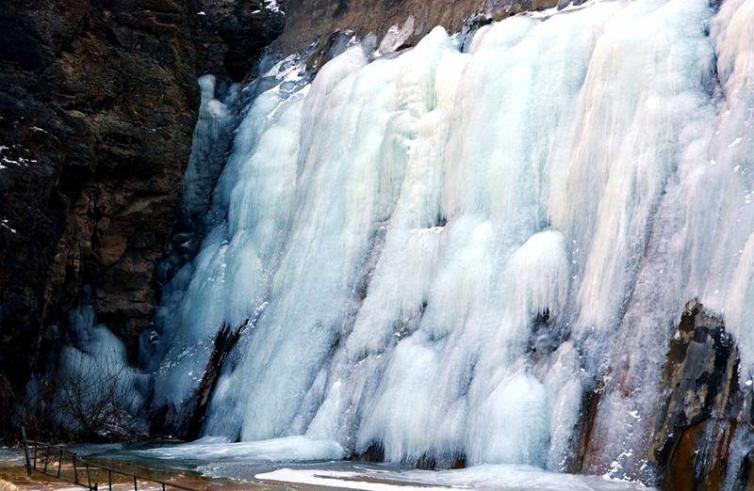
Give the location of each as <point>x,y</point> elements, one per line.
<point>98,100</point>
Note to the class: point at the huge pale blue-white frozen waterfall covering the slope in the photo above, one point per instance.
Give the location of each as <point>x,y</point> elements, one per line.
<point>396,229</point>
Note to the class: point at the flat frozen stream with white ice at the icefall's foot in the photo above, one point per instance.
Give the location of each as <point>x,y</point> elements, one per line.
<point>315,463</point>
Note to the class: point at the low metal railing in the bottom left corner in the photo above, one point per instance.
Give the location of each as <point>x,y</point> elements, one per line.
<point>85,473</point>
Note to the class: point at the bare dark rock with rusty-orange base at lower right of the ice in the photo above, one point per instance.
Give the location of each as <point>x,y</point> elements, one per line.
<point>702,409</point>
